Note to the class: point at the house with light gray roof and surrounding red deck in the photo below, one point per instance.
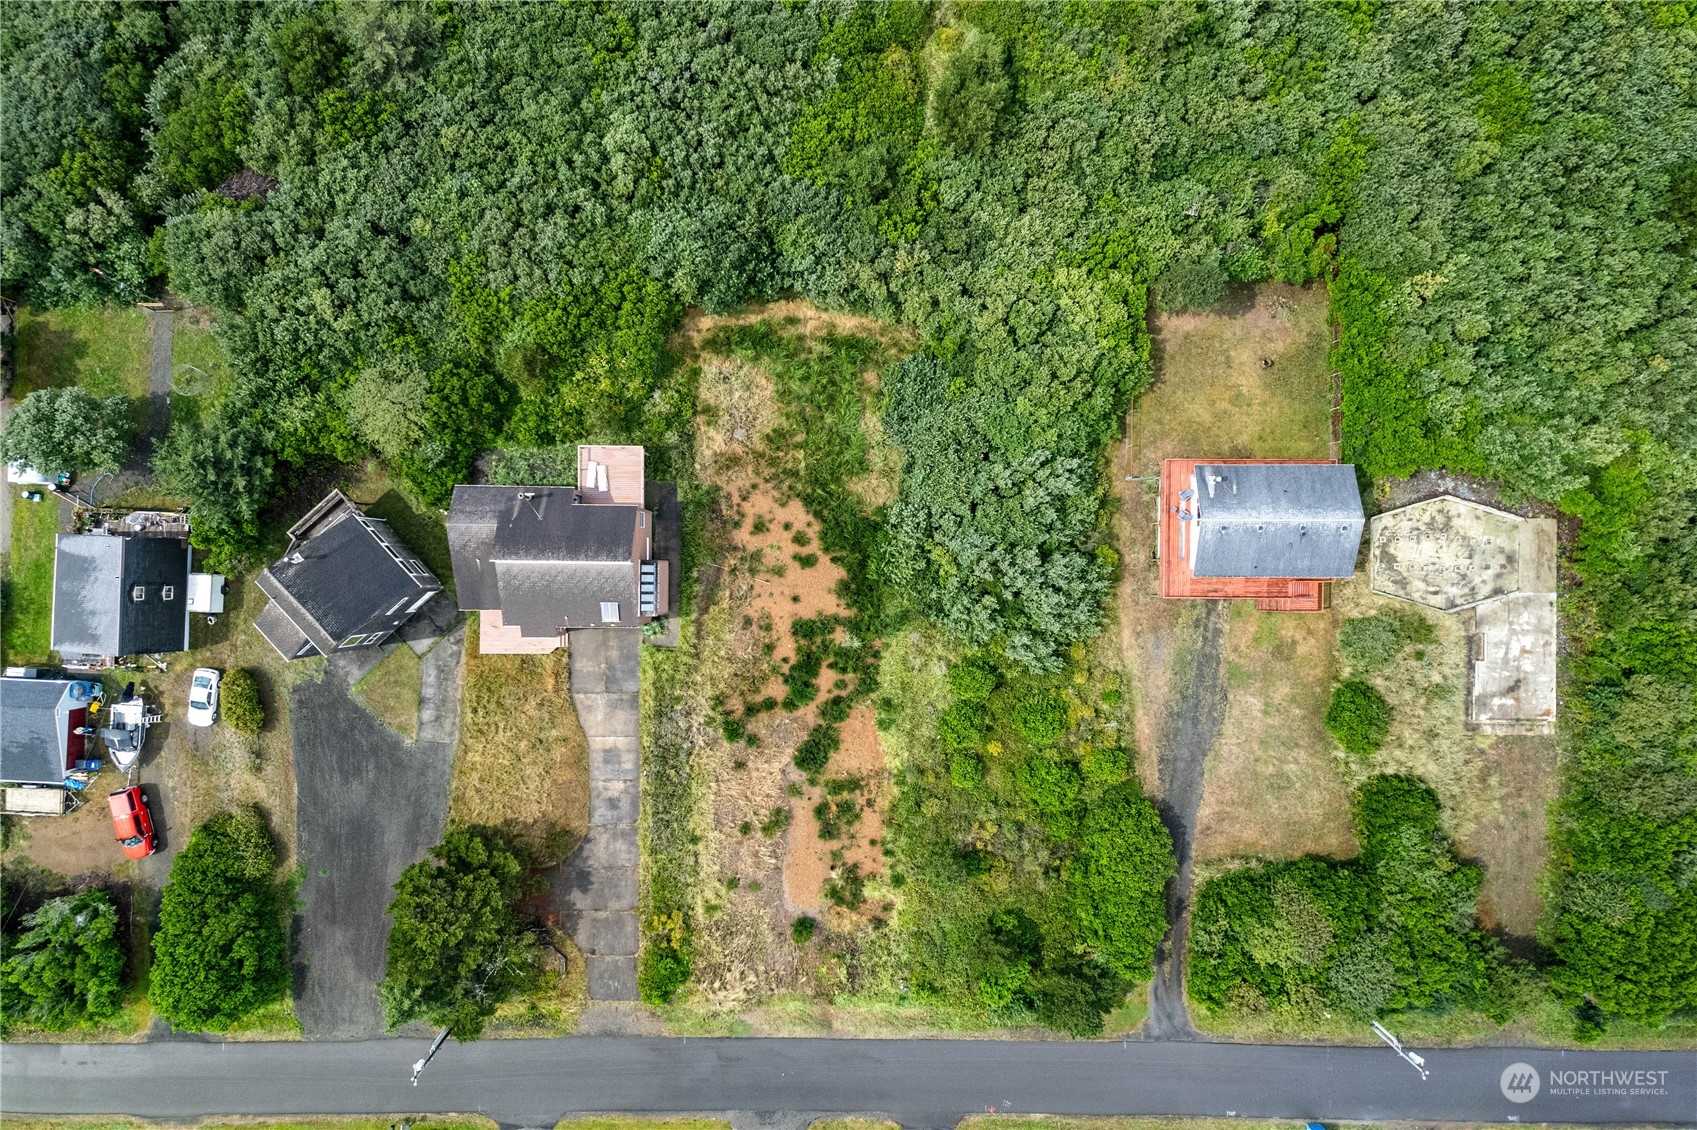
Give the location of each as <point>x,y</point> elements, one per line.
<point>1269,530</point>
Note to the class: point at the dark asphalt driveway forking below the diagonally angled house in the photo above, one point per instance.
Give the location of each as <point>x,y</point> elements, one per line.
<point>369,803</point>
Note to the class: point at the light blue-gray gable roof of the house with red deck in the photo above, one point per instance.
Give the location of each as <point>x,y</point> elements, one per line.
<point>1277,520</point>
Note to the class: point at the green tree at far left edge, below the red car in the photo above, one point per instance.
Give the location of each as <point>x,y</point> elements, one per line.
<point>65,970</point>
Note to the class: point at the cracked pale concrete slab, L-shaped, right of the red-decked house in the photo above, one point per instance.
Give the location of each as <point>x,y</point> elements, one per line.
<point>1499,573</point>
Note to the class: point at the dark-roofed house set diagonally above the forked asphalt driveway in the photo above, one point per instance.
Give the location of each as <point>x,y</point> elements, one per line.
<point>345,583</point>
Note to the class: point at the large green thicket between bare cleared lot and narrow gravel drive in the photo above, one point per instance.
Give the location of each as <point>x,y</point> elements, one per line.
<point>1039,820</point>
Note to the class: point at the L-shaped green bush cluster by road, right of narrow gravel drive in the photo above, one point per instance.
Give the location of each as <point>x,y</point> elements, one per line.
<point>1386,932</point>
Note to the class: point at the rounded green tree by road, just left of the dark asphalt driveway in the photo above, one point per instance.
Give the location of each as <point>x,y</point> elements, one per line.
<point>220,953</point>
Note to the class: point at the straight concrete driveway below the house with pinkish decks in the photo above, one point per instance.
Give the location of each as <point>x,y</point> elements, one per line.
<point>596,890</point>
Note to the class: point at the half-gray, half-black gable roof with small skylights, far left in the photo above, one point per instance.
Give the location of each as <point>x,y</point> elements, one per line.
<point>94,588</point>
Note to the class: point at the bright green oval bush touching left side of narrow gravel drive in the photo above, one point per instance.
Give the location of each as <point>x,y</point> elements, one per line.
<point>1117,880</point>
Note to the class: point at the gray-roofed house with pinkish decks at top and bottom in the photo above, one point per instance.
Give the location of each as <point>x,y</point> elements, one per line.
<point>539,562</point>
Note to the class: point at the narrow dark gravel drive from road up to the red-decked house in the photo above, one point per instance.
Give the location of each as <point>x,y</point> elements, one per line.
<point>1189,732</point>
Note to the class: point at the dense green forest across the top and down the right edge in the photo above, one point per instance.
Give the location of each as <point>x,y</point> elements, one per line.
<point>432,230</point>
